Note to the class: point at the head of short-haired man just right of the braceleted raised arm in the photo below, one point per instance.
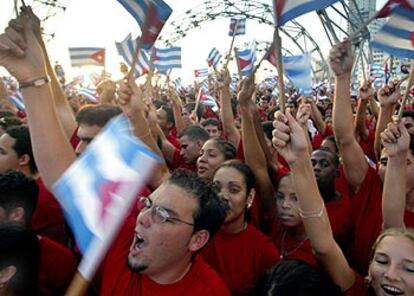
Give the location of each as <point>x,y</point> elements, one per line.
<point>325,166</point>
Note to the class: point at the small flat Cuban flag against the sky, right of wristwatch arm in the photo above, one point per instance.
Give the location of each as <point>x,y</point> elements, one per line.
<point>82,56</point>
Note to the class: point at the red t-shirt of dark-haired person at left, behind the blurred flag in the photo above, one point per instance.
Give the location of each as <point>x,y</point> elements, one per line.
<point>48,217</point>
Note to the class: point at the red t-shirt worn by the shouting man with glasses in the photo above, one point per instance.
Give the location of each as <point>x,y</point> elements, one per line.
<point>117,279</point>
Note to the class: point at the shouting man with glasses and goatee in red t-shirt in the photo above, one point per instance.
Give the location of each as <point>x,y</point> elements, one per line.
<point>174,224</point>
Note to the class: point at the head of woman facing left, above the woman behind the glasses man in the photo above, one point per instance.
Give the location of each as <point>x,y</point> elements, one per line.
<point>213,153</point>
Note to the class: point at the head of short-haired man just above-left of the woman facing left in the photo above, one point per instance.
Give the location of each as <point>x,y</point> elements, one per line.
<point>192,138</point>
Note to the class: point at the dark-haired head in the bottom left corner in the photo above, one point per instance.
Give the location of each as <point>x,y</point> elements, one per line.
<point>19,260</point>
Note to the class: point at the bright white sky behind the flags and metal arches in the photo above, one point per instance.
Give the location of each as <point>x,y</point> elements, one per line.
<point>99,23</point>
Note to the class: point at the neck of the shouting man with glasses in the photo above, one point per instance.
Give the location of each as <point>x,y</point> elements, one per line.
<point>174,274</point>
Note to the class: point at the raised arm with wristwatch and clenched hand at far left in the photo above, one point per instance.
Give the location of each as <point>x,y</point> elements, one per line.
<point>22,55</point>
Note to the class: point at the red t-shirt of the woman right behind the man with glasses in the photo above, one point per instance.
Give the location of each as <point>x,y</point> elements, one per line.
<point>241,258</point>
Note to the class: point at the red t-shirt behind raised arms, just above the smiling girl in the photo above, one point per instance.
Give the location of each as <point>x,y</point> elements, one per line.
<point>367,215</point>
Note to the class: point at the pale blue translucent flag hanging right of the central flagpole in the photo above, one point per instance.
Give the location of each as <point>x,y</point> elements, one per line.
<point>298,71</point>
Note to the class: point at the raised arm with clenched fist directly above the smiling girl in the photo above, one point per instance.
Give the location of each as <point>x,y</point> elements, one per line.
<point>396,140</point>
